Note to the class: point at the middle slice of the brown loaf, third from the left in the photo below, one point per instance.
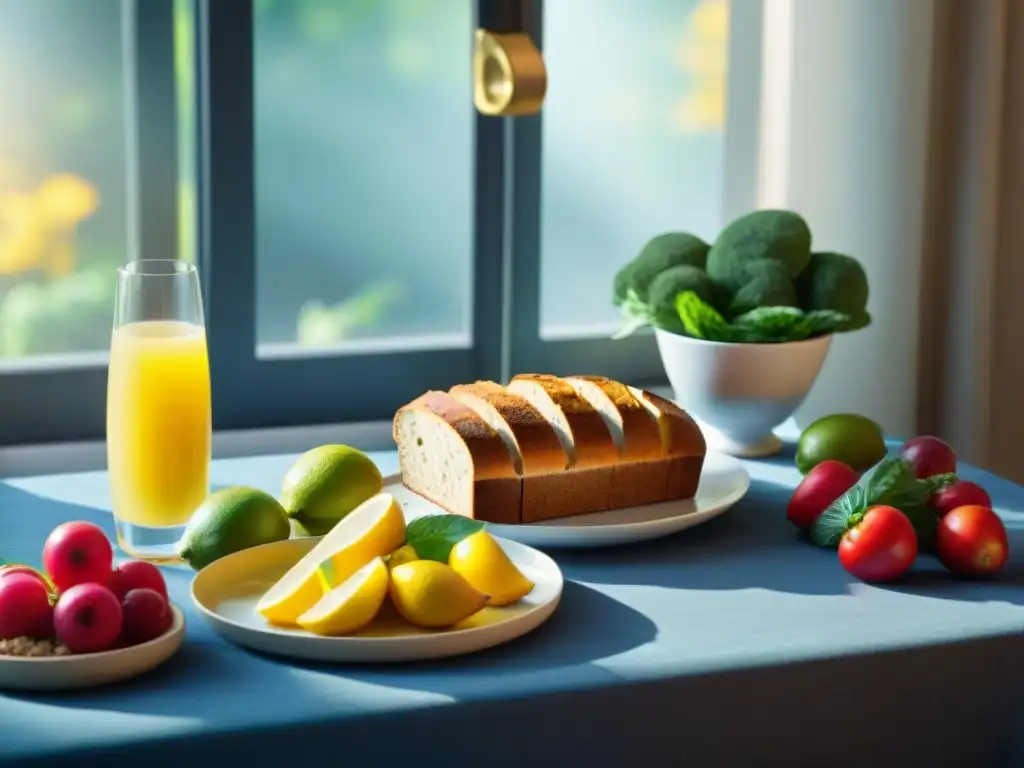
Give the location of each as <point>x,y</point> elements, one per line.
<point>587,486</point>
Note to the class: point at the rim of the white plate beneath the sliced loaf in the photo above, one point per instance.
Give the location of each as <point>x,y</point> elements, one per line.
<point>630,532</point>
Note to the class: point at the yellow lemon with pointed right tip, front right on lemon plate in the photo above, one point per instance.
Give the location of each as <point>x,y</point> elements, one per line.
<point>430,594</point>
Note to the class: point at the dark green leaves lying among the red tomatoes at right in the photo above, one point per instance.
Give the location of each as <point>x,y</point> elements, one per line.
<point>892,482</point>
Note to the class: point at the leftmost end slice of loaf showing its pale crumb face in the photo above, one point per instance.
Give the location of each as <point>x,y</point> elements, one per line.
<point>450,456</point>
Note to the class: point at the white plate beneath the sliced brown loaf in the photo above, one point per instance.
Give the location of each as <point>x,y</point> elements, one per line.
<point>723,483</point>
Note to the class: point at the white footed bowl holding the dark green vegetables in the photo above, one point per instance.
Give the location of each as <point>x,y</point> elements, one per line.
<point>741,393</point>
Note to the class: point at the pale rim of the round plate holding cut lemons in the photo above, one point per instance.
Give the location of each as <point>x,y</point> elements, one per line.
<point>531,619</point>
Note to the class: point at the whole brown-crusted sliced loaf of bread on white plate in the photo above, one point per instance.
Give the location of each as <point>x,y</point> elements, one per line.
<point>545,447</point>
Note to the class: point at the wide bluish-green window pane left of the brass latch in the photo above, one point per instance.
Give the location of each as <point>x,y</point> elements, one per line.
<point>364,168</point>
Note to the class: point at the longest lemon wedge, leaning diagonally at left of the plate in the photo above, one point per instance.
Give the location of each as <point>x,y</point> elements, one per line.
<point>372,530</point>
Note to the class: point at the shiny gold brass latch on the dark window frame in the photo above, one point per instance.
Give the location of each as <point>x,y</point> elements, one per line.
<point>509,76</point>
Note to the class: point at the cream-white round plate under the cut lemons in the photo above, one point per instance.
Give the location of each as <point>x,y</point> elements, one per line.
<point>227,592</point>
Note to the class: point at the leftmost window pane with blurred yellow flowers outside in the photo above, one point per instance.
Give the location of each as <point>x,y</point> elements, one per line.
<point>63,192</point>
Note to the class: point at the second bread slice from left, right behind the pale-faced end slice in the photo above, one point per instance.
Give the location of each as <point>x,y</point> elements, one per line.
<point>538,453</point>
